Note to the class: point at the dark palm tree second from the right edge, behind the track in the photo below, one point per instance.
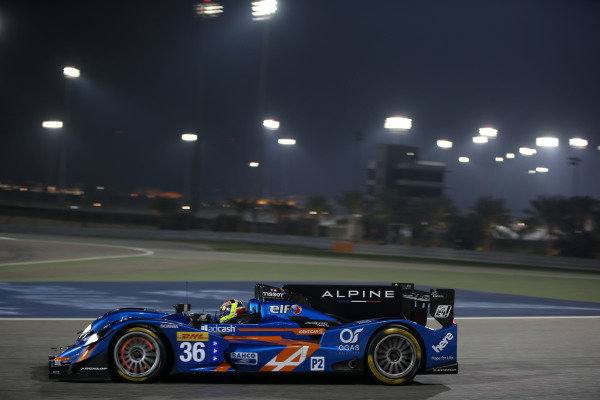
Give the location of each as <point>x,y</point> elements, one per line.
<point>547,212</point>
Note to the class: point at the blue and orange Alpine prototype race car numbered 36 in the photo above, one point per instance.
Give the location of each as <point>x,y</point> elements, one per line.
<point>374,329</point>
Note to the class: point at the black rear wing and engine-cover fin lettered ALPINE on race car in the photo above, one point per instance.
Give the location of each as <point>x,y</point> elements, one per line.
<point>357,302</point>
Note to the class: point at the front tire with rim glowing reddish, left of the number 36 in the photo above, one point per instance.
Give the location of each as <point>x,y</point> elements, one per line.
<point>138,355</point>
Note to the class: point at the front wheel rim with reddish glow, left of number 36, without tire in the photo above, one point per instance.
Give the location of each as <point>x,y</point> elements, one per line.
<point>137,354</point>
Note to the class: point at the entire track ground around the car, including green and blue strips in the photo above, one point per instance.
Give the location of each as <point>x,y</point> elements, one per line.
<point>511,346</point>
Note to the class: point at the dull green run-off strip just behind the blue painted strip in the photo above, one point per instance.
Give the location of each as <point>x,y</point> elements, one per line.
<point>568,288</point>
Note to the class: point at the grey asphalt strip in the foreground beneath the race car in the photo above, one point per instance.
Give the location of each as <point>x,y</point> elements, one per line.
<point>498,358</point>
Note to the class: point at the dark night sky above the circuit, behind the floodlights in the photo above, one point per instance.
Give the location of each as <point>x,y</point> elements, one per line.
<point>528,68</point>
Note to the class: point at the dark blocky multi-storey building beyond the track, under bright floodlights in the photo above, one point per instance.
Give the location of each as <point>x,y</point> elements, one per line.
<point>398,167</point>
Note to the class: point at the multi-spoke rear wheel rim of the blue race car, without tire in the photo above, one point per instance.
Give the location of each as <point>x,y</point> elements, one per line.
<point>395,356</point>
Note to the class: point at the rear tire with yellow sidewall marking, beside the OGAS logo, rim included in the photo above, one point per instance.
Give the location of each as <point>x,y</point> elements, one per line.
<point>393,356</point>
